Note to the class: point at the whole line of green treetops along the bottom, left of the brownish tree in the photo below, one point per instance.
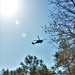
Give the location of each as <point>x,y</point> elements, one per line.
<point>31,66</point>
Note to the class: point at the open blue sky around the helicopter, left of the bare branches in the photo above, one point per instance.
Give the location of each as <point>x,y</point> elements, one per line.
<point>17,33</point>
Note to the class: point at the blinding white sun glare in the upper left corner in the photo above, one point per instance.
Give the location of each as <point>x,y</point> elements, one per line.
<point>8,7</point>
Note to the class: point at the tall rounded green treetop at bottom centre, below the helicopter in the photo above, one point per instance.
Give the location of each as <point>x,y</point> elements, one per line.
<point>34,66</point>
